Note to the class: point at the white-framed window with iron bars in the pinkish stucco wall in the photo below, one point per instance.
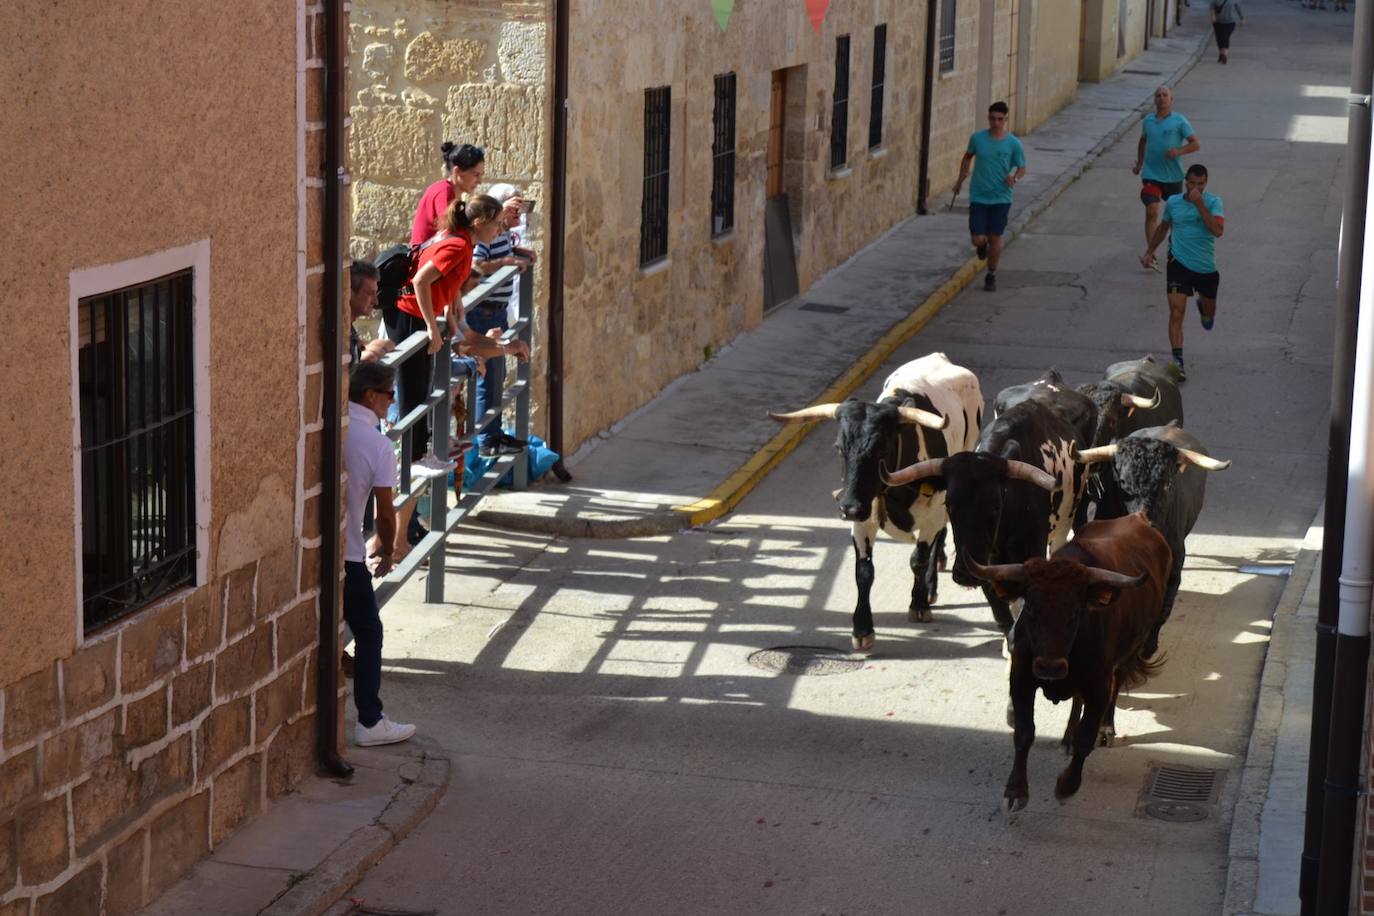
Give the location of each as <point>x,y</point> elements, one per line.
<point>138,447</point>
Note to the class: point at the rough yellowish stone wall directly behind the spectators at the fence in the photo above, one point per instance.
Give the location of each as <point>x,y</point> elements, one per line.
<point>424,72</point>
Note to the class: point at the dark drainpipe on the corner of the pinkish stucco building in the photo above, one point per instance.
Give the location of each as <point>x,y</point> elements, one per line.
<point>332,447</point>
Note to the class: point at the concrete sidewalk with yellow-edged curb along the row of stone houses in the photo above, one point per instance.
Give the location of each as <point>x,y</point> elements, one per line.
<point>692,454</point>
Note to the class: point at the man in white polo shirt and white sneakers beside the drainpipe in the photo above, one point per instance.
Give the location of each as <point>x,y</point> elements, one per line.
<point>370,462</point>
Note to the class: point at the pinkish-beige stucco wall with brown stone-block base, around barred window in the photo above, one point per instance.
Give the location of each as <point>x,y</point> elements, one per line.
<point>164,731</point>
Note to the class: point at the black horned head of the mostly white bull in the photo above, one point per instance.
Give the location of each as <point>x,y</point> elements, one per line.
<point>866,435</point>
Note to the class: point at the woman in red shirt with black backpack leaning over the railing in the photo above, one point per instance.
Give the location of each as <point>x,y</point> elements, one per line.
<point>442,277</point>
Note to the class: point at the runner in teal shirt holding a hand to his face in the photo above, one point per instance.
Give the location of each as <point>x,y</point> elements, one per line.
<point>1197,220</point>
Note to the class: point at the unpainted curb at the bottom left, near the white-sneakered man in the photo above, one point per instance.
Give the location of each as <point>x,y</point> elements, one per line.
<point>427,782</point>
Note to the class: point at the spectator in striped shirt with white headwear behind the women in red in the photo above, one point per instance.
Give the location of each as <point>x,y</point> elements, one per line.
<point>491,314</point>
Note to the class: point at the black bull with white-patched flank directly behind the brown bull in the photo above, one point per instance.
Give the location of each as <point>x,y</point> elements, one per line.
<point>1015,495</point>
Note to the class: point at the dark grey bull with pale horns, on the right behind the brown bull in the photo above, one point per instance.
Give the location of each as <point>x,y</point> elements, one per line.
<point>1156,472</point>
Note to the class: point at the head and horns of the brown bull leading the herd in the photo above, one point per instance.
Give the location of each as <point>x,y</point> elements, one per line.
<point>1057,597</point>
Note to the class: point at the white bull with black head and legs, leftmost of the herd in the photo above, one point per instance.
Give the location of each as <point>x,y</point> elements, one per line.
<point>928,409</point>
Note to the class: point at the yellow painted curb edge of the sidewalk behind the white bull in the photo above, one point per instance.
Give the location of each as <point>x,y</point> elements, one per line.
<point>729,495</point>
